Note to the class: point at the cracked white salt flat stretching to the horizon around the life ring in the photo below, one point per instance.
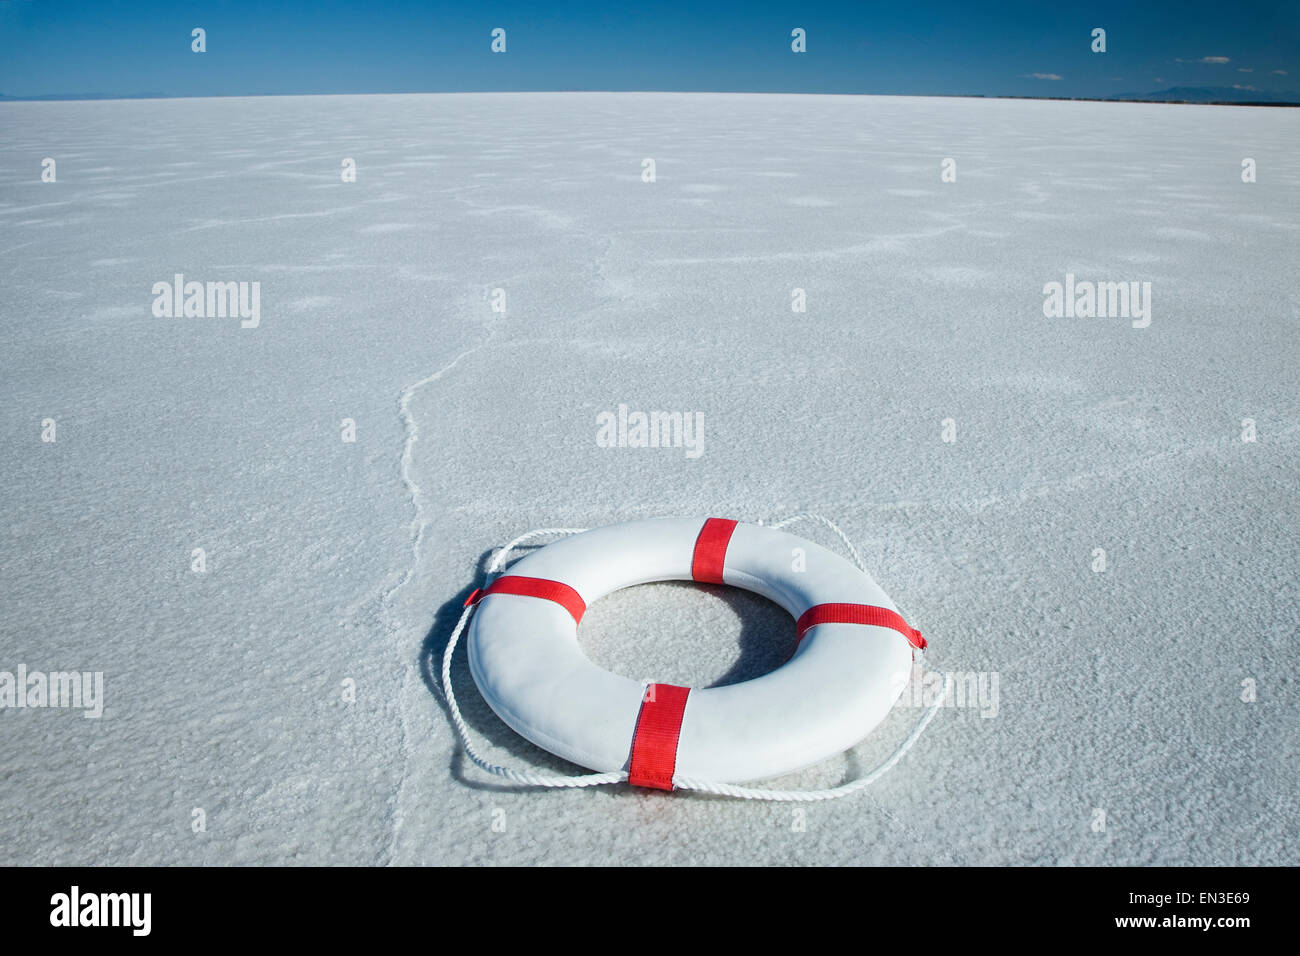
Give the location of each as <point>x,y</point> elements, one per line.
<point>1119,691</point>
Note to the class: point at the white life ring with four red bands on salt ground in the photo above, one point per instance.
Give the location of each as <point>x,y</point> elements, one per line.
<point>852,663</point>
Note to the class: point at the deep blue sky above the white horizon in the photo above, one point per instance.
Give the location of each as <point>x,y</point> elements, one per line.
<point>391,46</point>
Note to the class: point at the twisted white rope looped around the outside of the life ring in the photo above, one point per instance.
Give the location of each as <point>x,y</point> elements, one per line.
<point>534,780</point>
